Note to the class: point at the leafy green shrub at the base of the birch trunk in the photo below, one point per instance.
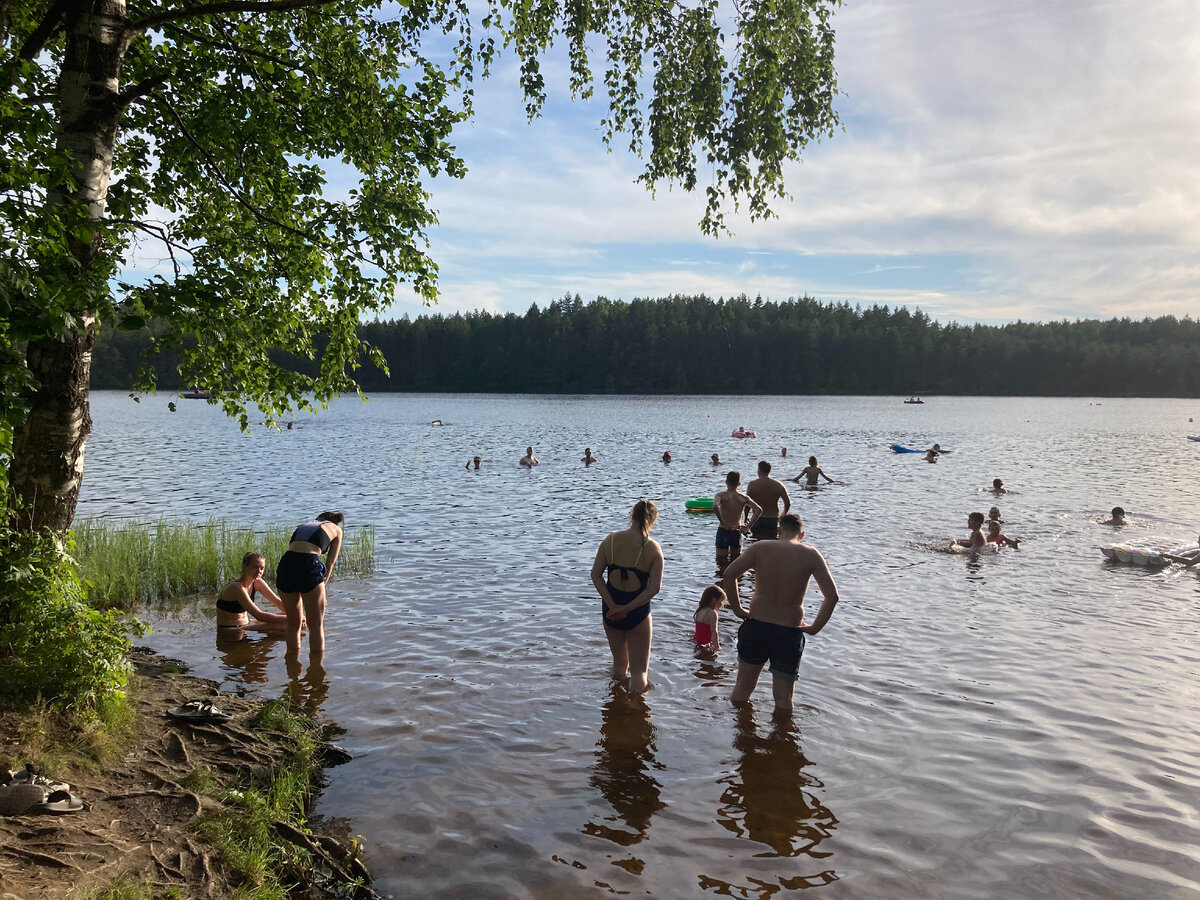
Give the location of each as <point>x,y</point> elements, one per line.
<point>53,645</point>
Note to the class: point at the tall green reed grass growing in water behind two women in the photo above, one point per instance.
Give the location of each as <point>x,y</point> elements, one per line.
<point>133,562</point>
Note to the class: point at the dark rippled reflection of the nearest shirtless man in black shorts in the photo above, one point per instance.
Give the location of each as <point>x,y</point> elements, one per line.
<point>771,800</point>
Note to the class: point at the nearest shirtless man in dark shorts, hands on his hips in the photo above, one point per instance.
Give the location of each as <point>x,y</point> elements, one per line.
<point>775,629</point>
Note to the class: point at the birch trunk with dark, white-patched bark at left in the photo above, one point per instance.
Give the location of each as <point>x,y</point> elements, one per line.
<point>49,451</point>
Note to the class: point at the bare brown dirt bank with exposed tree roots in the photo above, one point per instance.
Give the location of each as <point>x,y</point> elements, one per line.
<point>137,824</point>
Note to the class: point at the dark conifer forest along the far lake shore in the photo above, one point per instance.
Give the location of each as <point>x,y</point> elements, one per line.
<point>694,345</point>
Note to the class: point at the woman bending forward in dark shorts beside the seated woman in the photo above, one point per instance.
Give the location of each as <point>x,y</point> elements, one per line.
<point>302,578</point>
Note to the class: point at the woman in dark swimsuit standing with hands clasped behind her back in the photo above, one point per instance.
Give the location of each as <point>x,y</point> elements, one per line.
<point>628,572</point>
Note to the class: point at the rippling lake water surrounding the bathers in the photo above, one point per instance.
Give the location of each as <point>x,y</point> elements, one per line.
<point>1018,727</point>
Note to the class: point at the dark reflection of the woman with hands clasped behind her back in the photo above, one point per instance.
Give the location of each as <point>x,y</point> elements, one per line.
<point>622,771</point>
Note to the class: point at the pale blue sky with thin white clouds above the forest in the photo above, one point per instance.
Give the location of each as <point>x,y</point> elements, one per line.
<point>1001,160</point>
